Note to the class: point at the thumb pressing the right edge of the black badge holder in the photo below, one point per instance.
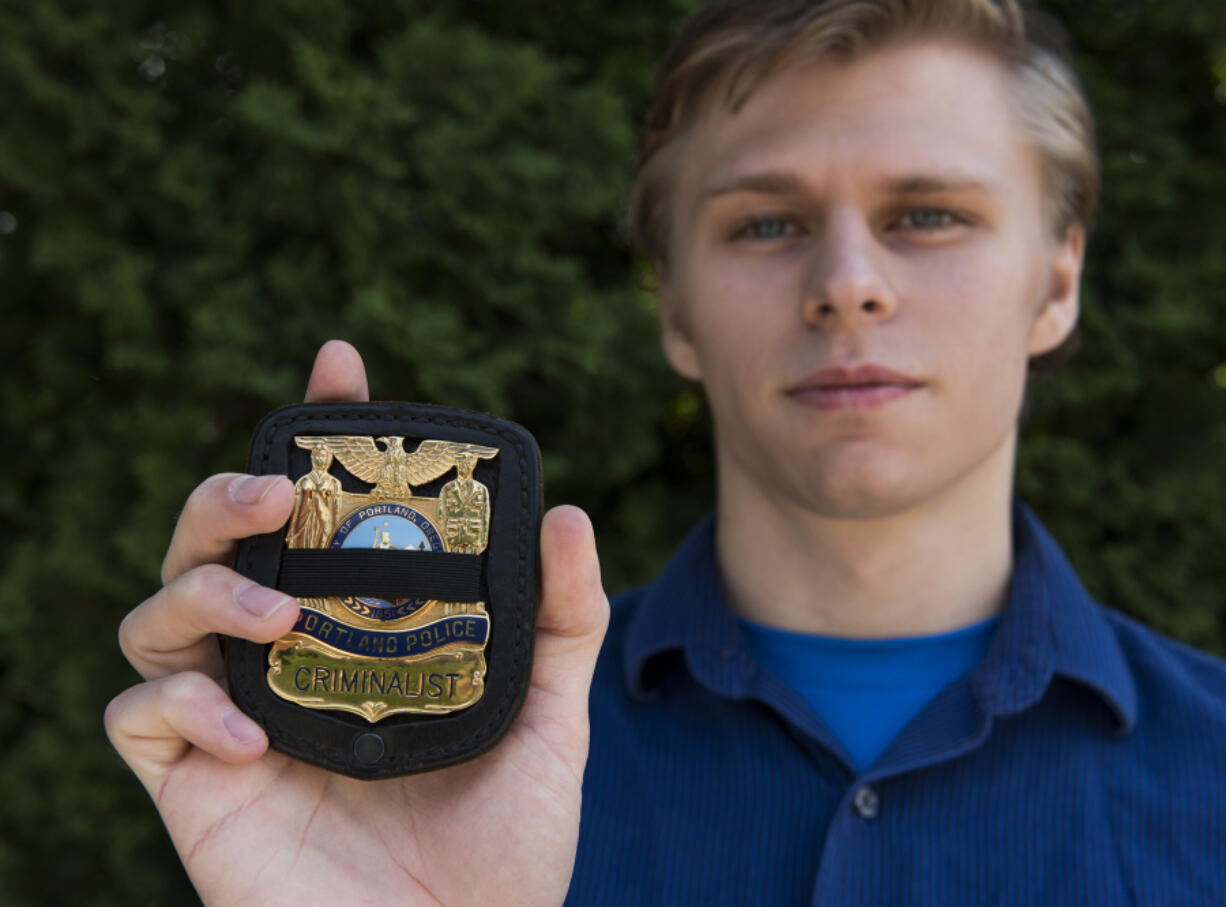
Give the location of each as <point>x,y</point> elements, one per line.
<point>574,612</point>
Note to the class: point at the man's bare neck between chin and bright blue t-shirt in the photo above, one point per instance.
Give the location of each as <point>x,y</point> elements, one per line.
<point>932,568</point>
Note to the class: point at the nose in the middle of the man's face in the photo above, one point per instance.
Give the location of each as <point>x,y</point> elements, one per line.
<point>848,283</point>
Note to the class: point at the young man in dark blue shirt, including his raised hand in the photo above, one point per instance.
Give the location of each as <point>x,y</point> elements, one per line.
<point>870,678</point>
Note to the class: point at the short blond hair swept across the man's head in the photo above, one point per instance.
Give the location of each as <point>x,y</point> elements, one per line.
<point>730,50</point>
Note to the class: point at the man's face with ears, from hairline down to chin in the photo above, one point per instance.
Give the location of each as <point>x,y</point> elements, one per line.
<point>881,214</point>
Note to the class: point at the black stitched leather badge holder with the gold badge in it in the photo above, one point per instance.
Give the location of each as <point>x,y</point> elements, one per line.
<point>414,552</point>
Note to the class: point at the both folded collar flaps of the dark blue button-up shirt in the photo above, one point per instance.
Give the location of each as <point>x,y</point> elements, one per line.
<point>1050,627</point>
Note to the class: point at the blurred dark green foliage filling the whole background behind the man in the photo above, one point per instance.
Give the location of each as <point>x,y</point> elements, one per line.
<point>197,199</point>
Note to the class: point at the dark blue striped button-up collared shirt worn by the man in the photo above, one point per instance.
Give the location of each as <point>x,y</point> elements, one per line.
<point>1083,762</point>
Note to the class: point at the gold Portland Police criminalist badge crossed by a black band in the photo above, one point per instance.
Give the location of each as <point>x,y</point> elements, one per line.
<point>372,656</point>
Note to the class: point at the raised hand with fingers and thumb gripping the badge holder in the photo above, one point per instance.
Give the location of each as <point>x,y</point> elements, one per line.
<point>253,825</point>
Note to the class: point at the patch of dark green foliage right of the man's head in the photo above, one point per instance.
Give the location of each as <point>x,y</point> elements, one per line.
<point>1126,452</point>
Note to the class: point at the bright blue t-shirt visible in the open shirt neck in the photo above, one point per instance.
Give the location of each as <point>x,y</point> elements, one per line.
<point>869,691</point>
